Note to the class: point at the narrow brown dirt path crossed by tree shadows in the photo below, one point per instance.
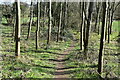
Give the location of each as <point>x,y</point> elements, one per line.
<point>61,71</point>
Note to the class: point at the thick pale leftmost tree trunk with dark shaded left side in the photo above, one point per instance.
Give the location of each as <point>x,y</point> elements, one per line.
<point>17,29</point>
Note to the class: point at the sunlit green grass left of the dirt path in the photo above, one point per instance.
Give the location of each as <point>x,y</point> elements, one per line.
<point>32,63</point>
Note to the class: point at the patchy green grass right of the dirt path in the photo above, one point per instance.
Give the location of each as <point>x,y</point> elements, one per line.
<point>83,68</point>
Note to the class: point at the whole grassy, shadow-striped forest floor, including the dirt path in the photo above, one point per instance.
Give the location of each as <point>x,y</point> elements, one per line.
<point>41,63</point>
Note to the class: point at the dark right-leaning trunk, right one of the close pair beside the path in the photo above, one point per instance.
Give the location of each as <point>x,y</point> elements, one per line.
<point>88,27</point>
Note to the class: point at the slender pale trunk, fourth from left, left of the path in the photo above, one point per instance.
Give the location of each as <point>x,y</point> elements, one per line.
<point>49,24</point>
